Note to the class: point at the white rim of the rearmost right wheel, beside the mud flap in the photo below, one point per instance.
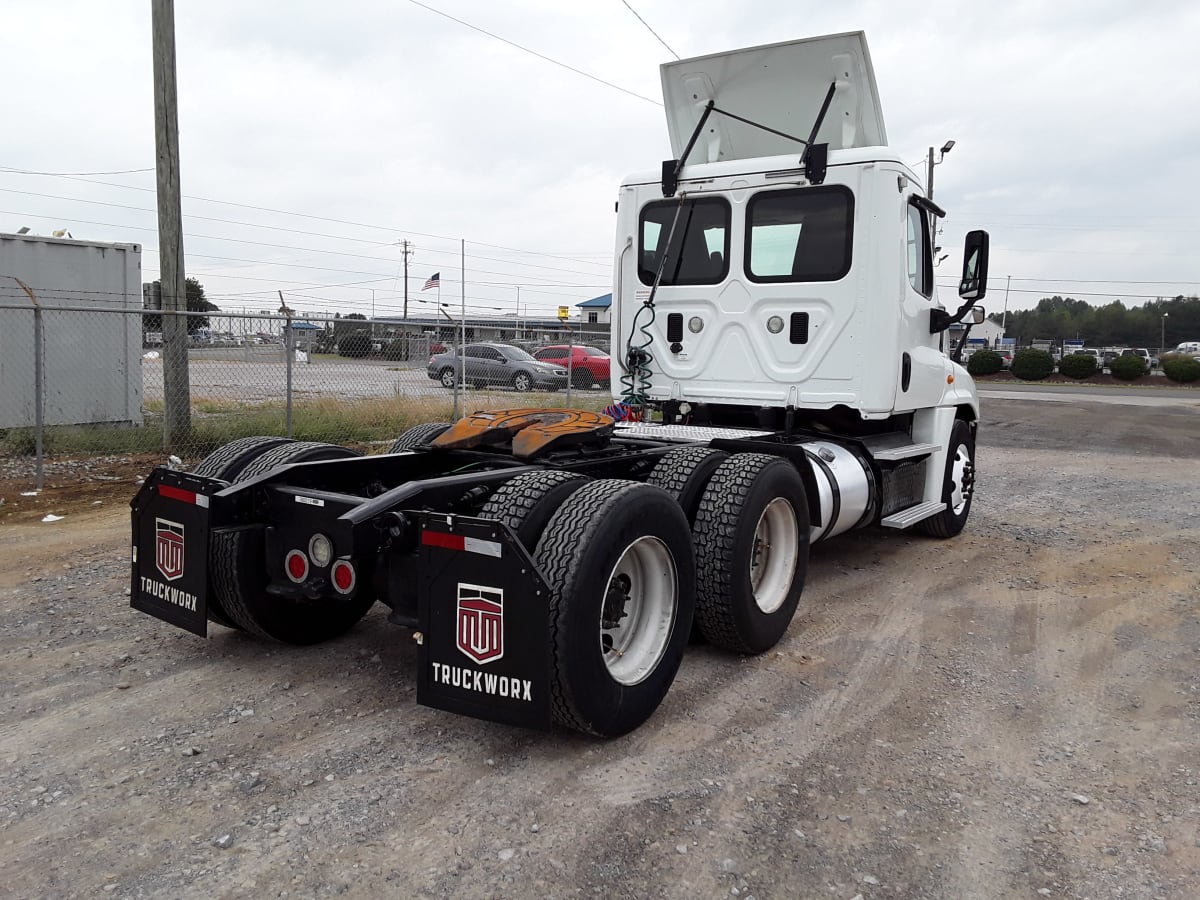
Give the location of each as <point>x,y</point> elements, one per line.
<point>635,646</point>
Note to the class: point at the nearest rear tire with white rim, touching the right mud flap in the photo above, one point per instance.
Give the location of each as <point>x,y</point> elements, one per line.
<point>621,569</point>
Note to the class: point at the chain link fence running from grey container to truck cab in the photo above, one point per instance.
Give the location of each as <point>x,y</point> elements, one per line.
<point>86,379</point>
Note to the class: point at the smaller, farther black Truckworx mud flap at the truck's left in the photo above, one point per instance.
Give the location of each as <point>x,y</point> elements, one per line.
<point>171,549</point>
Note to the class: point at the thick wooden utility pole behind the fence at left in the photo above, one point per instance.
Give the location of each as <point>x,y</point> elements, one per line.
<point>177,388</point>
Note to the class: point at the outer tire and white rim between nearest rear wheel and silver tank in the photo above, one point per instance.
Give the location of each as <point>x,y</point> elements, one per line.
<point>752,536</point>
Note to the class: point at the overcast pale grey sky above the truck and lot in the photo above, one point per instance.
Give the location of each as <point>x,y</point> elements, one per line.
<point>316,136</point>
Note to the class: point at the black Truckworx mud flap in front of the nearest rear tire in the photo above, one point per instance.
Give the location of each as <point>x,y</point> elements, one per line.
<point>484,622</point>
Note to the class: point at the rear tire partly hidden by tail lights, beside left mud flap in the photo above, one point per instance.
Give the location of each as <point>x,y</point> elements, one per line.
<point>238,571</point>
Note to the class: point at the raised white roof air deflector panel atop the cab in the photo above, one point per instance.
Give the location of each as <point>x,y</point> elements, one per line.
<point>781,86</point>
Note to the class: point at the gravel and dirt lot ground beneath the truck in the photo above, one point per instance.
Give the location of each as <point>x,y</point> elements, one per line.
<point>1013,713</point>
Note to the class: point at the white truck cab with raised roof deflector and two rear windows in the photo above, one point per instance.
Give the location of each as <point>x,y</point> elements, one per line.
<point>779,286</point>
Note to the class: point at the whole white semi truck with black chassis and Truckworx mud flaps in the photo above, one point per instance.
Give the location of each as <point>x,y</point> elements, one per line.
<point>779,356</point>
